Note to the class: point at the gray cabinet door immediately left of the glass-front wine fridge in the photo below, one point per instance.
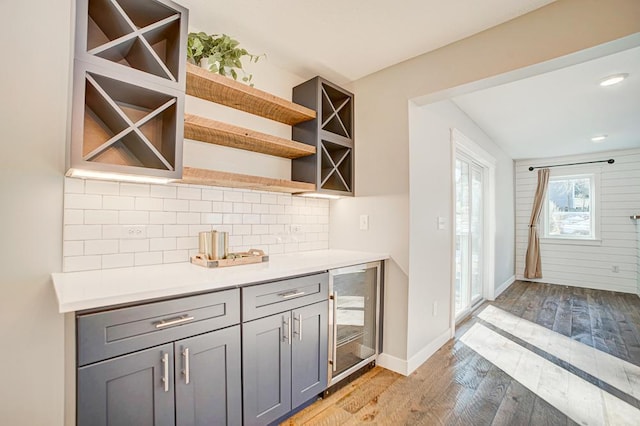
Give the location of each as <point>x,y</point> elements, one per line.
<point>309,356</point>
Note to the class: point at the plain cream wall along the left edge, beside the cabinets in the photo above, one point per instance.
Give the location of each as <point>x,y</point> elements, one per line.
<point>36,41</point>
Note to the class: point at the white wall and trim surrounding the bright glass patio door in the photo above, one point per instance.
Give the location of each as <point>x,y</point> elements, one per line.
<point>430,170</point>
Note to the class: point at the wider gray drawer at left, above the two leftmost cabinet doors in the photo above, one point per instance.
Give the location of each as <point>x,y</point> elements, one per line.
<point>107,334</point>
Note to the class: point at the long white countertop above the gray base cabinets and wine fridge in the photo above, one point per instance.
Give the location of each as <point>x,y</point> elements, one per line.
<point>94,289</point>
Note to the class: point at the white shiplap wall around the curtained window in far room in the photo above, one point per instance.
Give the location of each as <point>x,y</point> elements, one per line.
<point>588,265</point>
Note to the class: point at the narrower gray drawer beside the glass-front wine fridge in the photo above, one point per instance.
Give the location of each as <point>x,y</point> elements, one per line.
<point>267,299</point>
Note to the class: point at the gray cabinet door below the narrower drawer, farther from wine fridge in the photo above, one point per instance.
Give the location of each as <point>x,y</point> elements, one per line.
<point>266,364</point>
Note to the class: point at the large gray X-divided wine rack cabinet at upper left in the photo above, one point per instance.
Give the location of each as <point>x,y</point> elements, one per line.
<point>129,87</point>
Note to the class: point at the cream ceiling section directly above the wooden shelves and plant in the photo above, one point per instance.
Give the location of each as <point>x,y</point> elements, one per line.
<point>344,40</point>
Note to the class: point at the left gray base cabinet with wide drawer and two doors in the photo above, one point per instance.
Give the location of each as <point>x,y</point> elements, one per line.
<point>189,376</point>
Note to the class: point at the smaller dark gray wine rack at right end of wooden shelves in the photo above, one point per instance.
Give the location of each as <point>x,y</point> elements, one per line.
<point>331,132</point>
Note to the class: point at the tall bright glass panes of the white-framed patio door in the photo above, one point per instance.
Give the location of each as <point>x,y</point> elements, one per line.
<point>469,239</point>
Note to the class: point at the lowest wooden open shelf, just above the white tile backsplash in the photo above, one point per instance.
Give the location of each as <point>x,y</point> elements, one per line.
<point>196,176</point>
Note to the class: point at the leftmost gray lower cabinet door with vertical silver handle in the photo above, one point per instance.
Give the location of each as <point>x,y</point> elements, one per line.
<point>134,389</point>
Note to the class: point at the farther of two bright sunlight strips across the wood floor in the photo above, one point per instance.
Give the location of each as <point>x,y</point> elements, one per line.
<point>618,373</point>
